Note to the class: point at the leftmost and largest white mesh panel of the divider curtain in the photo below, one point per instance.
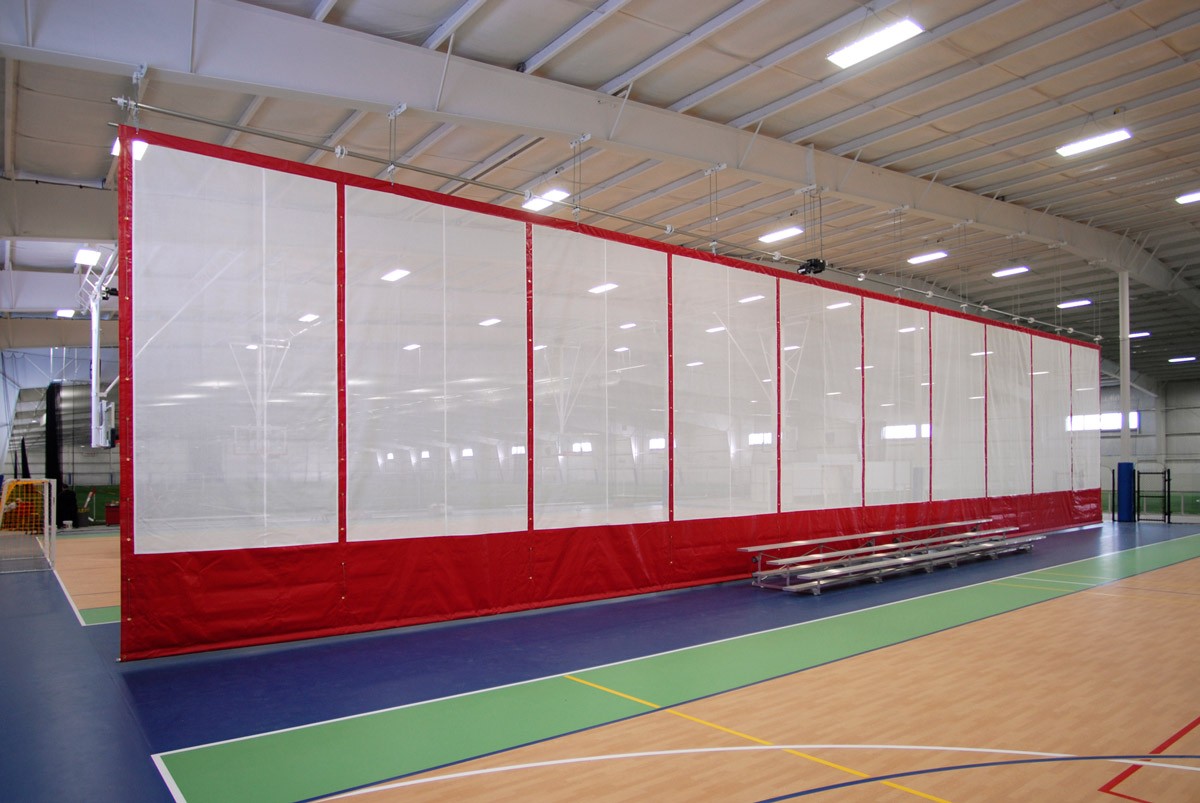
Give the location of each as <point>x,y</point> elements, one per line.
<point>235,356</point>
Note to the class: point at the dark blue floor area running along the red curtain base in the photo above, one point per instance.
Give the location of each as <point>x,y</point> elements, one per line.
<point>80,726</point>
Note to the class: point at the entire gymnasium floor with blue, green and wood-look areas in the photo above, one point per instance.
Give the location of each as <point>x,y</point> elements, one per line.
<point>1035,676</point>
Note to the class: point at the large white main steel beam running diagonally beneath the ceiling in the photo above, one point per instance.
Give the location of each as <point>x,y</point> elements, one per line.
<point>269,53</point>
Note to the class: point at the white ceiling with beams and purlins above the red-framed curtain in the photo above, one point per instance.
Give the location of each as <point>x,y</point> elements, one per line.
<point>705,124</point>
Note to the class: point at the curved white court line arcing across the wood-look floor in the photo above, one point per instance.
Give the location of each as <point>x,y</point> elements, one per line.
<point>653,754</point>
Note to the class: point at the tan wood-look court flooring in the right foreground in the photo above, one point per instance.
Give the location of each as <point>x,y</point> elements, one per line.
<point>1093,674</point>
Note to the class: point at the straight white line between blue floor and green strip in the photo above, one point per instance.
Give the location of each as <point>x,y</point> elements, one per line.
<point>166,775</point>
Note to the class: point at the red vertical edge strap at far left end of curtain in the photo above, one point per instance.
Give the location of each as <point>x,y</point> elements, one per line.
<point>125,351</point>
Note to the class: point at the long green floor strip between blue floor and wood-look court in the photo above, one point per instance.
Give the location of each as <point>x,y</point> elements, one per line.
<point>327,758</point>
